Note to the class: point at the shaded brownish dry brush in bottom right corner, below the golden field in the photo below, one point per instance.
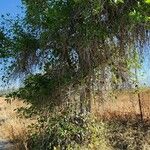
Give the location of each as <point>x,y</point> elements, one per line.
<point>128,133</point>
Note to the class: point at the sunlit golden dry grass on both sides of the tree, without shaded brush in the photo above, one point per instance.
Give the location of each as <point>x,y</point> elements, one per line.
<point>125,105</point>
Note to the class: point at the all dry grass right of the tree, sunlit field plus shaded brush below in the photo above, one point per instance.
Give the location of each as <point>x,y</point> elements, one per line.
<point>121,115</point>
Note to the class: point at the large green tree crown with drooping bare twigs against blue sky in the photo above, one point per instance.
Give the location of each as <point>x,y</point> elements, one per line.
<point>74,41</point>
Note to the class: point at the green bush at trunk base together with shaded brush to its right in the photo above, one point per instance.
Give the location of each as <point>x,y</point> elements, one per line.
<point>78,132</point>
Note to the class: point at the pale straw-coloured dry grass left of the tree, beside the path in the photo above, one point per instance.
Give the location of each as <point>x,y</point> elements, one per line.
<point>13,128</point>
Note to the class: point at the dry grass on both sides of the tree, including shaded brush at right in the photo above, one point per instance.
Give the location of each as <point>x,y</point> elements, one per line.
<point>120,114</point>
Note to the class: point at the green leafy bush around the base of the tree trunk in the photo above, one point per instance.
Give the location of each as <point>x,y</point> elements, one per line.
<point>64,132</point>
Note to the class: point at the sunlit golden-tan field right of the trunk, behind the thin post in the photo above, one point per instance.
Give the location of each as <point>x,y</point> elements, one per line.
<point>123,104</point>
